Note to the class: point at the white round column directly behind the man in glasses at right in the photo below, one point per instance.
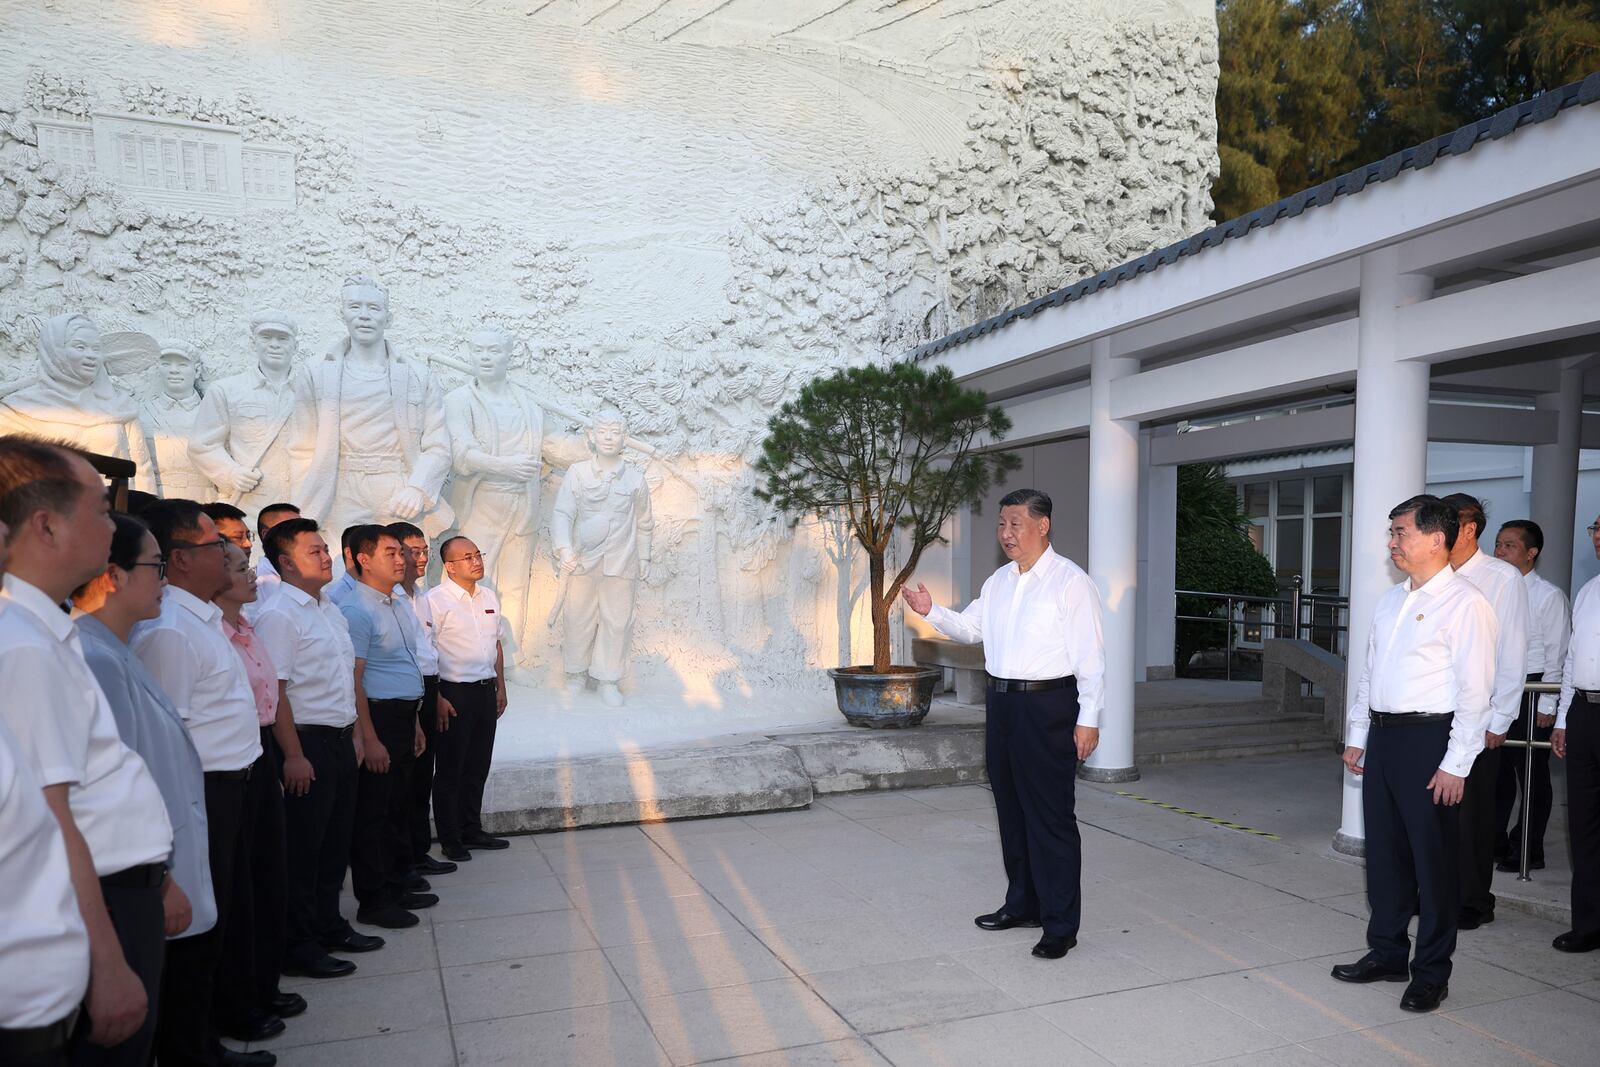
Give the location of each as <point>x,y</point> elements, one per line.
<point>1391,465</point>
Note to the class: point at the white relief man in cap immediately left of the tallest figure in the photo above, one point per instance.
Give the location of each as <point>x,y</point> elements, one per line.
<point>241,430</point>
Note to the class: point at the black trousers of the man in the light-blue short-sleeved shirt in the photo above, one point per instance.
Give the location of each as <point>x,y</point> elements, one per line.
<point>382,842</point>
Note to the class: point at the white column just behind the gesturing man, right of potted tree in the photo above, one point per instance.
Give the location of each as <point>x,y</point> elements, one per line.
<point>1114,561</point>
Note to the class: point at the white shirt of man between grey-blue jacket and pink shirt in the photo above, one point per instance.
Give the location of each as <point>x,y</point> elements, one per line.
<point>193,661</point>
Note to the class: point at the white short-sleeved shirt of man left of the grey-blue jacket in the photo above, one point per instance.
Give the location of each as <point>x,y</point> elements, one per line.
<point>62,721</point>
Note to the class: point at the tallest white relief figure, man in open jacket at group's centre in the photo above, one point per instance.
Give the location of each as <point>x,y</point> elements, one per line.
<point>367,434</point>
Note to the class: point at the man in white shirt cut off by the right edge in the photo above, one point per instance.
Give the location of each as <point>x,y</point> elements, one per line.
<point>1577,740</point>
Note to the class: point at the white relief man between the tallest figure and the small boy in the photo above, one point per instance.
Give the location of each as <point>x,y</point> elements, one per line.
<point>500,449</point>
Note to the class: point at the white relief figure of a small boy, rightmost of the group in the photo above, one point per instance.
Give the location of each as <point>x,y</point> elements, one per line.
<point>601,532</point>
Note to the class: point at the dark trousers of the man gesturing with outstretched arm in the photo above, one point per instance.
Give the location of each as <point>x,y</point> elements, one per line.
<point>1033,761</point>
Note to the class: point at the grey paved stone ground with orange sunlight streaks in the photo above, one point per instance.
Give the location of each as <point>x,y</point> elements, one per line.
<point>842,935</point>
